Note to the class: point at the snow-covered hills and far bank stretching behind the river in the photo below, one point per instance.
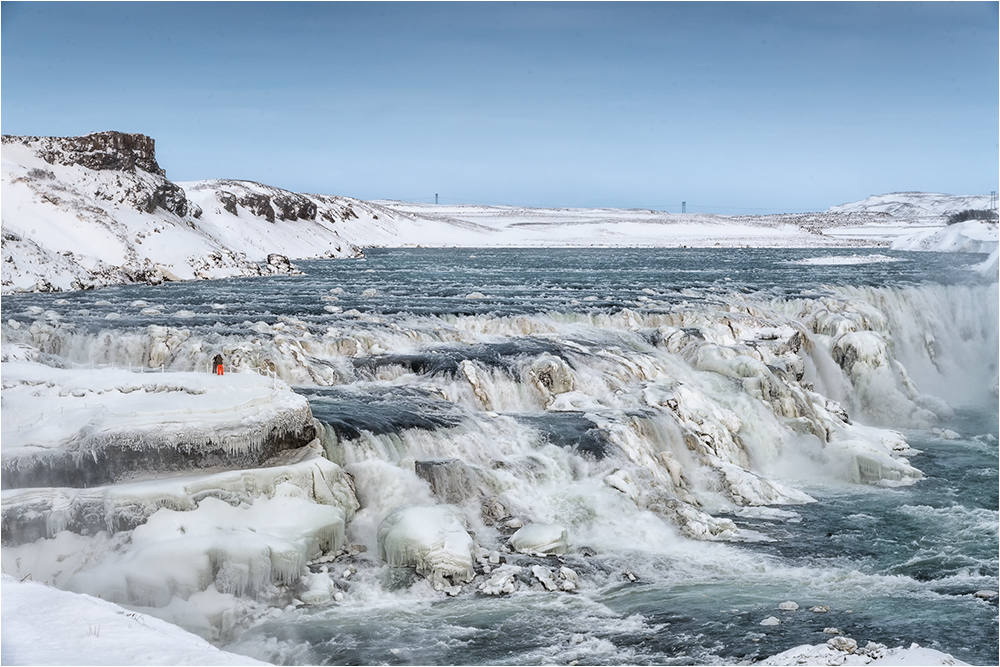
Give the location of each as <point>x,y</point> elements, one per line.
<point>82,212</point>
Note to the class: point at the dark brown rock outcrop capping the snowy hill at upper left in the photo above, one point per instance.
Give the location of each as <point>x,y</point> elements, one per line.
<point>100,150</point>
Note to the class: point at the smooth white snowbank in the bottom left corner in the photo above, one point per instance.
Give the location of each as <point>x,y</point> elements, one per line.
<point>46,626</point>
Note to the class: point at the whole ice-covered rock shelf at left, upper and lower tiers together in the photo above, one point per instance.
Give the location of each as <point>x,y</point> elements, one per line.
<point>220,496</point>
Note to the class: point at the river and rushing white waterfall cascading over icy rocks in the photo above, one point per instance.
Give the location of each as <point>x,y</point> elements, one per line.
<point>674,414</point>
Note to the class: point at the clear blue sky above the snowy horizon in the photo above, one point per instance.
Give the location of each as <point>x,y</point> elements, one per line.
<point>745,107</point>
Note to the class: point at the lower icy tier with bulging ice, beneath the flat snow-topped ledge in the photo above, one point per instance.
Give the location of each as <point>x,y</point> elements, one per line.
<point>202,551</point>
